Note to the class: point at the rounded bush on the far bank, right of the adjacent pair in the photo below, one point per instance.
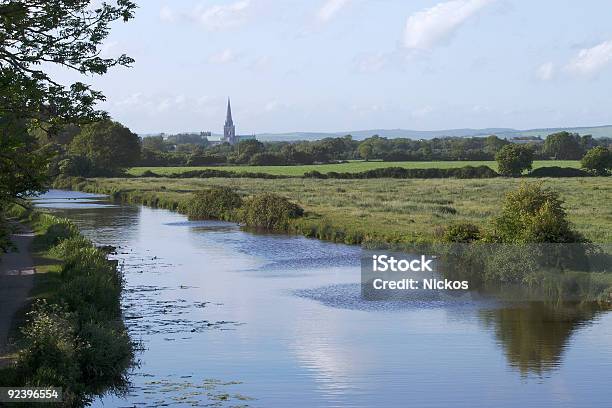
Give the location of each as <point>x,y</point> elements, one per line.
<point>269,211</point>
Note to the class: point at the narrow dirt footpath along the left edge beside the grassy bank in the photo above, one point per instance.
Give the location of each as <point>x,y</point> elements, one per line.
<point>16,280</point>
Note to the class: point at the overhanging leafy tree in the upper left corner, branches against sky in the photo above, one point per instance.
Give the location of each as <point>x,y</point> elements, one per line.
<point>34,35</point>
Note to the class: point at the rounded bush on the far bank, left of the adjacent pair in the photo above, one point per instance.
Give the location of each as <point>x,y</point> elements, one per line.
<point>219,203</point>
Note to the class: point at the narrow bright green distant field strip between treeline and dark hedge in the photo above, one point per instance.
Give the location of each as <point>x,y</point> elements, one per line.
<point>352,167</point>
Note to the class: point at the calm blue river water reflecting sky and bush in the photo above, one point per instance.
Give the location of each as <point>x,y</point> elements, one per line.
<point>228,318</point>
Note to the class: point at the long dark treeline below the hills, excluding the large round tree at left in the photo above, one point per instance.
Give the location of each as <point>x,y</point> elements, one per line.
<point>159,152</point>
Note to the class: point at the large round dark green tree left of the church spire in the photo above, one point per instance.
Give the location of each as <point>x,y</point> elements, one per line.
<point>109,146</point>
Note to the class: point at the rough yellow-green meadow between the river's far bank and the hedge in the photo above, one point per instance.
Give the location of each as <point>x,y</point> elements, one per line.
<point>386,209</point>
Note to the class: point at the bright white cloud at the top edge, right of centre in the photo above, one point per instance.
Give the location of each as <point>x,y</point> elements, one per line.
<point>428,28</point>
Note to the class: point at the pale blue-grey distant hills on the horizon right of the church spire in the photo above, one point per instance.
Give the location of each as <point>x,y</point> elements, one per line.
<point>597,131</point>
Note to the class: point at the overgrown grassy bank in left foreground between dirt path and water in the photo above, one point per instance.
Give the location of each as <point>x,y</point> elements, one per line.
<point>73,336</point>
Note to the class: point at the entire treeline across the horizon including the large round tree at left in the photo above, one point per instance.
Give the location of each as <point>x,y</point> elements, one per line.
<point>107,148</point>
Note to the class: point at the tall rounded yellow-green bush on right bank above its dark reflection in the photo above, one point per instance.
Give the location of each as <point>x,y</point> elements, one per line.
<point>533,214</point>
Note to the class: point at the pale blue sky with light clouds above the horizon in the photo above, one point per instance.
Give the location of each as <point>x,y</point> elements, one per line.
<point>340,65</point>
